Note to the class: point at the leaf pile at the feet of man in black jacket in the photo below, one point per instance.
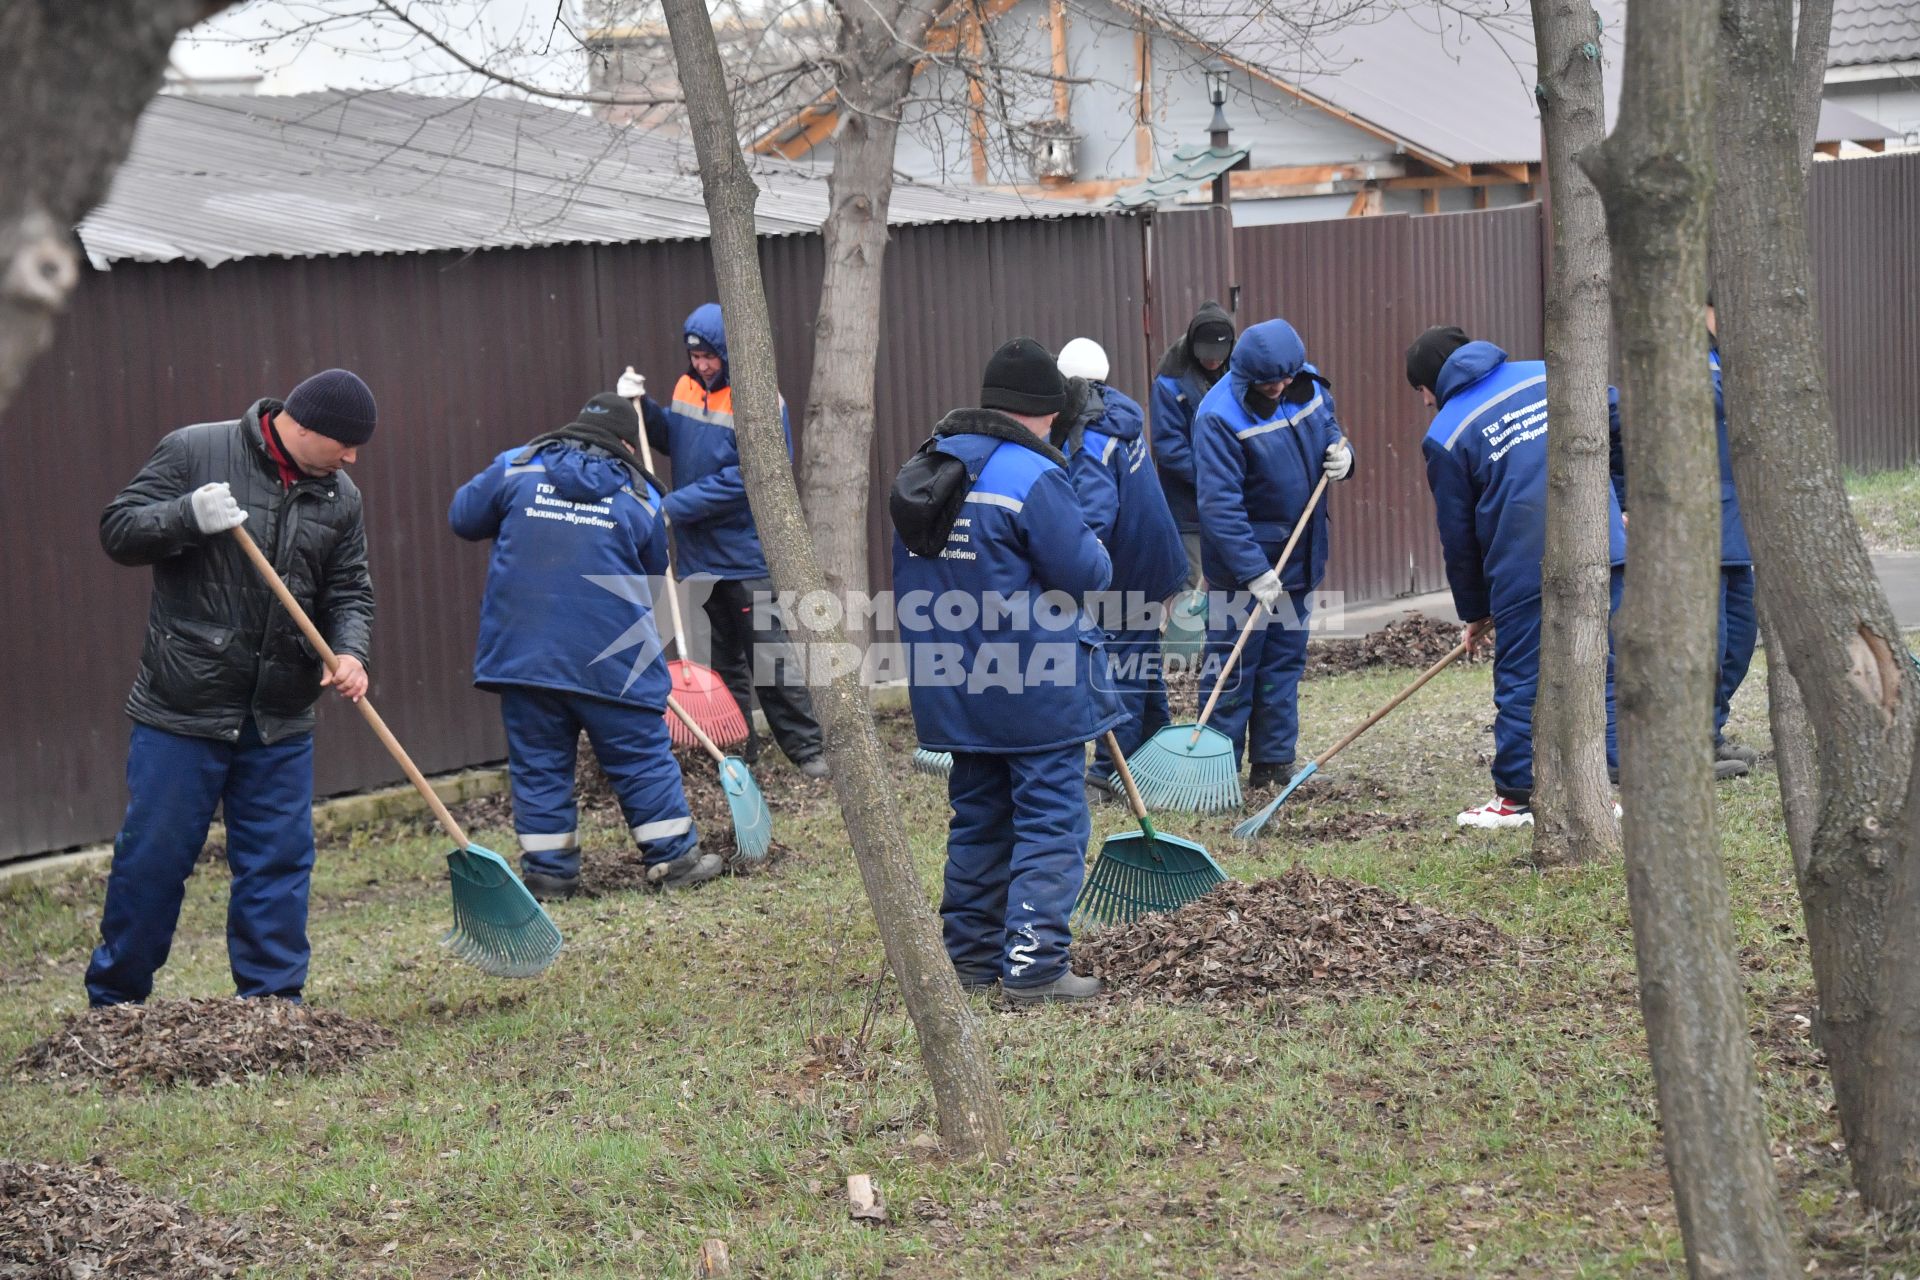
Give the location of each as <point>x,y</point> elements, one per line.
<point>201,1043</point>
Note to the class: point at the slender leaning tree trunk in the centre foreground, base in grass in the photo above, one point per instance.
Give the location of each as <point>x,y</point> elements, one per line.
<point>951,1047</point>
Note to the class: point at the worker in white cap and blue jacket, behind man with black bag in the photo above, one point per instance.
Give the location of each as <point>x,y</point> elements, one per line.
<point>1105,442</point>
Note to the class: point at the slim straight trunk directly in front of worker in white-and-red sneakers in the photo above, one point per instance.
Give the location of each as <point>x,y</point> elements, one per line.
<point>1573,803</point>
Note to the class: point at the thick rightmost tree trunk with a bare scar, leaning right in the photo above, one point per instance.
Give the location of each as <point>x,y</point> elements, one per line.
<point>1829,621</point>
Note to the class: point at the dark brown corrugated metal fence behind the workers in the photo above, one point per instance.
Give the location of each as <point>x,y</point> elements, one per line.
<point>471,354</point>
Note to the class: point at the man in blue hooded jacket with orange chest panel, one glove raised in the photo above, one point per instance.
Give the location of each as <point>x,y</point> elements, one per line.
<point>715,538</point>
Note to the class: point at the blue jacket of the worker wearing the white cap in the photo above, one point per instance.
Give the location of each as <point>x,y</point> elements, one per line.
<point>1122,498</point>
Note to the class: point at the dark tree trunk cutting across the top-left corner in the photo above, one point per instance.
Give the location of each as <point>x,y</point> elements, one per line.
<point>74,80</point>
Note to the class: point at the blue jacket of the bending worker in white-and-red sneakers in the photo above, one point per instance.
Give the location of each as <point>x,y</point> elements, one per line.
<point>1487,463</point>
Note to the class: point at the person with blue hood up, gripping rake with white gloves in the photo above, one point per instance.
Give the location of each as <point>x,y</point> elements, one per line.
<point>1262,439</point>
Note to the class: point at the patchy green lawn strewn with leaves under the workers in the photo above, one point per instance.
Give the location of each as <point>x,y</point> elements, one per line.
<point>661,1085</point>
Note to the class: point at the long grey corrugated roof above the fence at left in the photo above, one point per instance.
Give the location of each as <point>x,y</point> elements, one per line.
<point>218,179</point>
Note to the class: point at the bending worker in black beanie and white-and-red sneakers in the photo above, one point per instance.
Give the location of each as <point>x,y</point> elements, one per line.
<point>1487,463</point>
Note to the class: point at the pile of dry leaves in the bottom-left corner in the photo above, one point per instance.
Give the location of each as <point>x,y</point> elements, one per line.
<point>87,1223</point>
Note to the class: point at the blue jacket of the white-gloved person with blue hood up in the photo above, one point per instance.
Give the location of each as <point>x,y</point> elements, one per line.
<point>1259,469</point>
